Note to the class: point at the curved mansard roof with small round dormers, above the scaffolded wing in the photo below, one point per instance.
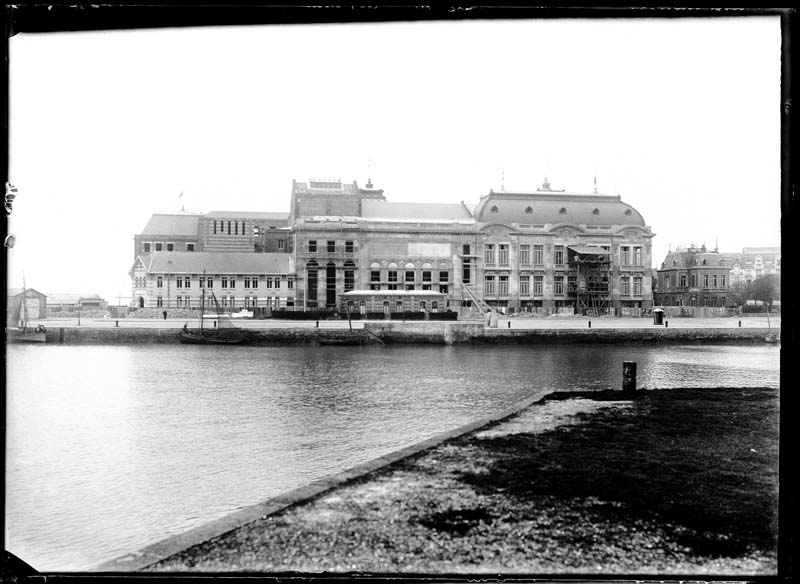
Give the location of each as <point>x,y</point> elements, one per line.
<point>551,207</point>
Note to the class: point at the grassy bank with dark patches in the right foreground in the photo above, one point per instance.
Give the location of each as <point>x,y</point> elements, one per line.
<point>673,482</point>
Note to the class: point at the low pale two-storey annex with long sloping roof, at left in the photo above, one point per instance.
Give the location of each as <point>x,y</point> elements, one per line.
<point>239,280</point>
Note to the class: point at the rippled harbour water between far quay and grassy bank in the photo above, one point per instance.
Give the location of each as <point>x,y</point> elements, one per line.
<point>109,449</point>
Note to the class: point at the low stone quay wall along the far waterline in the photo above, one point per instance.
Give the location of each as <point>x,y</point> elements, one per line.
<point>439,333</point>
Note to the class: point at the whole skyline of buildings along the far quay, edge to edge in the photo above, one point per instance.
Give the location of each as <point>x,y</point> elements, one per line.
<point>344,248</point>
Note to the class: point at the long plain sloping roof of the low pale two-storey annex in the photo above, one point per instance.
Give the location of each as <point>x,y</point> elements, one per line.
<point>195,262</point>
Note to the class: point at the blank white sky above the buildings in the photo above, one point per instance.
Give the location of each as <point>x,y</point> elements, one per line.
<point>679,116</point>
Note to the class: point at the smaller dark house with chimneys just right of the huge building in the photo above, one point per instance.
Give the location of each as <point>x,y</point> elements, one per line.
<point>695,276</point>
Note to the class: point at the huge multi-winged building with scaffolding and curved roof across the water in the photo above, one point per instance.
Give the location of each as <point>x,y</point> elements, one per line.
<point>545,251</point>
